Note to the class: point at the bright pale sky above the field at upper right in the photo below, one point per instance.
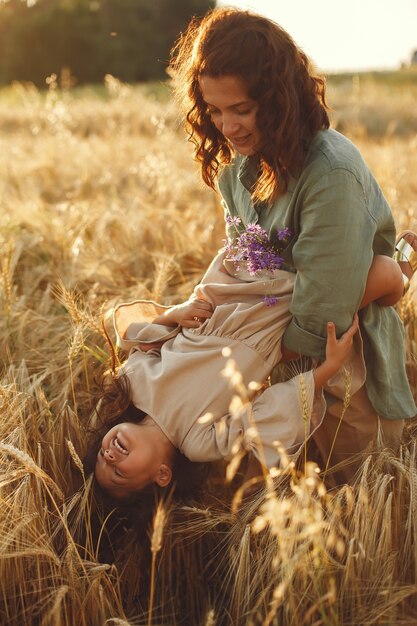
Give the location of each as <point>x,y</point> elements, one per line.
<point>350,35</point>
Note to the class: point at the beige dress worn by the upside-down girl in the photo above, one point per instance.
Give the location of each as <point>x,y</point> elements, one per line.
<point>182,387</point>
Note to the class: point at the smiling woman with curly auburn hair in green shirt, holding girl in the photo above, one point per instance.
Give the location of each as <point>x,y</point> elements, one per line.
<point>256,114</point>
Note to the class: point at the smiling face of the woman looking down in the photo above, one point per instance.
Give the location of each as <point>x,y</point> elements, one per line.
<point>232,111</point>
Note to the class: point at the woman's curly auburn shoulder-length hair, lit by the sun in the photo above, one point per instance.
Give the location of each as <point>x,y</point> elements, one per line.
<point>279,77</point>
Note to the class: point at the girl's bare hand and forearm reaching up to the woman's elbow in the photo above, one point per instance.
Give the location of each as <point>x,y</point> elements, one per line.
<point>337,351</point>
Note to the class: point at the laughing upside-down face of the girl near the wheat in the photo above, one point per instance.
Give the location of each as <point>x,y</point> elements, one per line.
<point>131,457</point>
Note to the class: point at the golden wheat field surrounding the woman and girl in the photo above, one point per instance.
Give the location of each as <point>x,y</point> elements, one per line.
<point>100,202</point>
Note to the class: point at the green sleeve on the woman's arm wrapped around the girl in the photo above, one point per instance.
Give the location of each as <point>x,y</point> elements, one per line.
<point>332,257</point>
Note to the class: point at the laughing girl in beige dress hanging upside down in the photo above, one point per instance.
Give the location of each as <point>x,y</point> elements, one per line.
<point>174,374</point>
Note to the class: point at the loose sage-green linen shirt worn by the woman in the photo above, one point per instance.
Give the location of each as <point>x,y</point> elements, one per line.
<point>338,218</point>
